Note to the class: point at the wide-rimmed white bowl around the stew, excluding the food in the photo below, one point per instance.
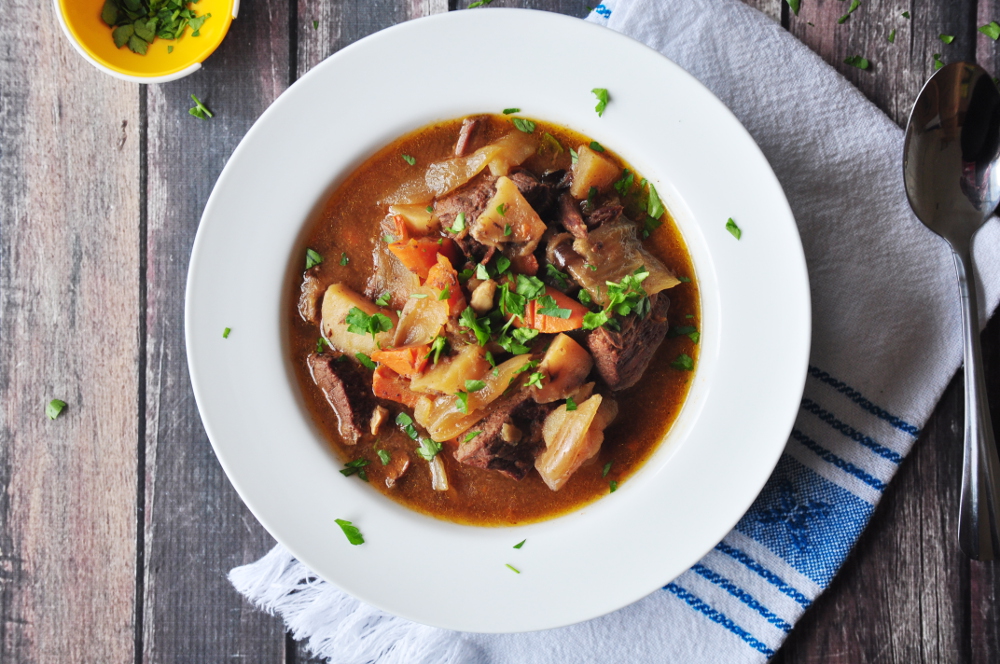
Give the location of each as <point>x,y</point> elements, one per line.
<point>755,320</point>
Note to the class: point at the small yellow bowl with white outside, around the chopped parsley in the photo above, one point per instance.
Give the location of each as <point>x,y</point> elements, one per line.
<point>82,23</point>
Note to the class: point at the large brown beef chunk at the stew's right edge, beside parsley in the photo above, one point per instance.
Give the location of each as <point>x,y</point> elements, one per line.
<point>622,357</point>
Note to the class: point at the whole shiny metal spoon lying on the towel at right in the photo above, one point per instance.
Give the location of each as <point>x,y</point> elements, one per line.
<point>951,167</point>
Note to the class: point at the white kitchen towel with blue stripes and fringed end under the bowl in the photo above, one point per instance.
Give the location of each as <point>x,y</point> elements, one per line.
<point>886,342</point>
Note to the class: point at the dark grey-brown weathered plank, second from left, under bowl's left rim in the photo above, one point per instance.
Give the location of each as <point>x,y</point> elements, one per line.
<point>196,527</point>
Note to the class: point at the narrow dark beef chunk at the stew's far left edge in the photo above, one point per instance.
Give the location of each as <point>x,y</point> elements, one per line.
<point>348,389</point>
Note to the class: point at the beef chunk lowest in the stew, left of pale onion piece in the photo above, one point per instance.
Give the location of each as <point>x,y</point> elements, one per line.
<point>512,458</point>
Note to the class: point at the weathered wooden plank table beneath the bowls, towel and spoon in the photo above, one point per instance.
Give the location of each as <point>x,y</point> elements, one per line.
<point>117,525</point>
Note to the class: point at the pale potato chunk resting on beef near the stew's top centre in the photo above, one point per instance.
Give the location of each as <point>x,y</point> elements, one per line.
<point>525,227</point>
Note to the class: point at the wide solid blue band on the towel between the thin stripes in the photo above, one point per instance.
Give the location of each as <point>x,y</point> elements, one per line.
<point>806,519</point>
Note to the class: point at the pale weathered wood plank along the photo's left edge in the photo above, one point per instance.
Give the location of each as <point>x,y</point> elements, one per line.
<point>69,302</point>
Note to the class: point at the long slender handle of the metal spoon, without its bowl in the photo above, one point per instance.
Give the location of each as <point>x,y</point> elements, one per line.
<point>979,509</point>
